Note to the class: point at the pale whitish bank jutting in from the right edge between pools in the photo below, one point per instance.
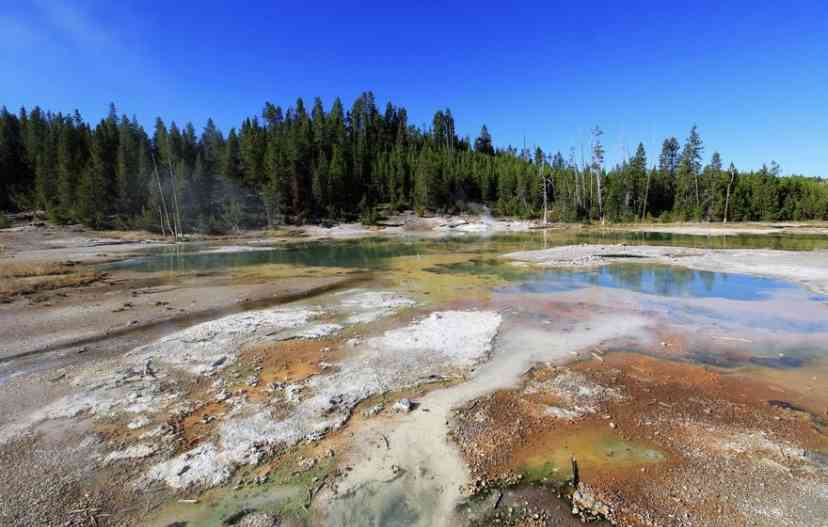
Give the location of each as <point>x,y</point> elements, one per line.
<point>809,268</point>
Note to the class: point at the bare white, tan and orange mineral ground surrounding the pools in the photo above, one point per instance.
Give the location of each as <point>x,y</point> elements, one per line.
<point>199,398</point>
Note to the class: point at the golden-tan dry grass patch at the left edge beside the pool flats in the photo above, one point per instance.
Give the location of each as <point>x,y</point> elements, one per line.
<point>28,278</point>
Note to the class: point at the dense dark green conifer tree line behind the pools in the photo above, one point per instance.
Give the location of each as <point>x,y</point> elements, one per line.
<point>296,166</point>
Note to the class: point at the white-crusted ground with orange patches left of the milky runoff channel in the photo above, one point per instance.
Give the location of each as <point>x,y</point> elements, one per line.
<point>220,399</point>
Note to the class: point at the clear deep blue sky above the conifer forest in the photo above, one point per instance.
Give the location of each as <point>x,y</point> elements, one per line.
<point>752,75</point>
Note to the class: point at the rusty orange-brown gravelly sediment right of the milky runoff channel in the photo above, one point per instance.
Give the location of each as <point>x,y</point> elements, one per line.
<point>721,447</point>
